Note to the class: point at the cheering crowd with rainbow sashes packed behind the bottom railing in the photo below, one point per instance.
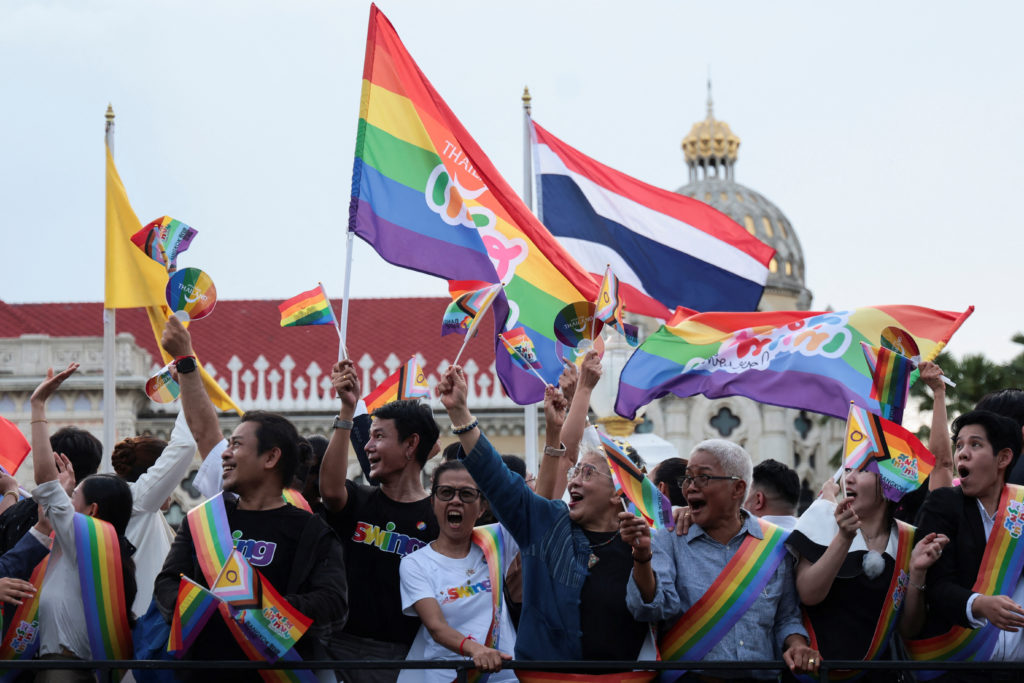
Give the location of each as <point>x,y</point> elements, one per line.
<point>484,563</point>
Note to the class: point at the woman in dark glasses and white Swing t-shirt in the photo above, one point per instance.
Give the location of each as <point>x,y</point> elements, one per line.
<point>454,584</point>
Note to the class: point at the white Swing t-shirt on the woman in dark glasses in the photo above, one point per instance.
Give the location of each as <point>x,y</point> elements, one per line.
<point>462,588</point>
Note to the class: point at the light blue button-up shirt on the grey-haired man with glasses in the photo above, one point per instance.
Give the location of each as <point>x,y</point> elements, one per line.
<point>687,567</point>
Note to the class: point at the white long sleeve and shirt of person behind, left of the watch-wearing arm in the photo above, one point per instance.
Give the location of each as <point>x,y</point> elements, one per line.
<point>148,530</point>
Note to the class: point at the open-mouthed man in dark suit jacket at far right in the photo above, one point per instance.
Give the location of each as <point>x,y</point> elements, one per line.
<point>987,448</point>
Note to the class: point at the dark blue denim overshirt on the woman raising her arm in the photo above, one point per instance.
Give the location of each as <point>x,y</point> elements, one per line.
<point>554,559</point>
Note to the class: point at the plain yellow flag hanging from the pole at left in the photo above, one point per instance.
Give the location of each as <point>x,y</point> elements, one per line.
<point>136,281</point>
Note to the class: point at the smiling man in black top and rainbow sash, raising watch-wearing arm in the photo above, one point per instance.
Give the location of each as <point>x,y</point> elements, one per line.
<point>295,551</point>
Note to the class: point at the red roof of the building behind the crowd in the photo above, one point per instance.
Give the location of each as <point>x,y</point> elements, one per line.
<point>248,329</point>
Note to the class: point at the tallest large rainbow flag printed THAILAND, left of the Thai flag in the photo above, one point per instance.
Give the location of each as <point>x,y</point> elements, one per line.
<point>426,198</point>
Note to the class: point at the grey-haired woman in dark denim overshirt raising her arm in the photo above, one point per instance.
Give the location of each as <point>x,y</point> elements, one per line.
<point>575,566</point>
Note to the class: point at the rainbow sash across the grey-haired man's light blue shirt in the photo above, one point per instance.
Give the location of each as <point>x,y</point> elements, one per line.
<point>736,589</point>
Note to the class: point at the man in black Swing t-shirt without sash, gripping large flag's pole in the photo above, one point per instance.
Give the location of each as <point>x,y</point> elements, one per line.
<point>379,526</point>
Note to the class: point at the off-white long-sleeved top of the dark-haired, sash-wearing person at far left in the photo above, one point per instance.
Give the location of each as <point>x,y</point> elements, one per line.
<point>62,617</point>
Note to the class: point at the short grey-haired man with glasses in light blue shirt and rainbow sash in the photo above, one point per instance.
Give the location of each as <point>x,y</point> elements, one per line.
<point>687,580</point>
